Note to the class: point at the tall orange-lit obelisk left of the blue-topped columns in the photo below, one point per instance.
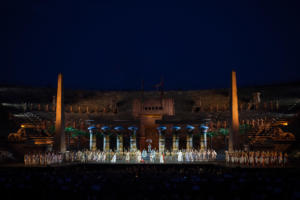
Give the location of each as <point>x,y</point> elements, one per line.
<point>59,141</point>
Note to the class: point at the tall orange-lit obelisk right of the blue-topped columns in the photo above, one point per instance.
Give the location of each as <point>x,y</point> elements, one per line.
<point>233,134</point>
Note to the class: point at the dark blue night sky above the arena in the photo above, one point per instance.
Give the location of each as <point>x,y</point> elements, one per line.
<point>114,45</point>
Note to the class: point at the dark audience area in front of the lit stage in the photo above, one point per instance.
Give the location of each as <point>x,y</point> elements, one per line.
<point>148,182</point>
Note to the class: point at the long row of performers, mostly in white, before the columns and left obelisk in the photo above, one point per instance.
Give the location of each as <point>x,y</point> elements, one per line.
<point>138,156</point>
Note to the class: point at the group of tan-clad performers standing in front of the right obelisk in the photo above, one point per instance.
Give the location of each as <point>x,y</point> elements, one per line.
<point>257,158</point>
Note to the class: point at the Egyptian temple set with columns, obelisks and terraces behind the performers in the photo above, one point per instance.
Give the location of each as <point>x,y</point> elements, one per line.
<point>233,118</point>
